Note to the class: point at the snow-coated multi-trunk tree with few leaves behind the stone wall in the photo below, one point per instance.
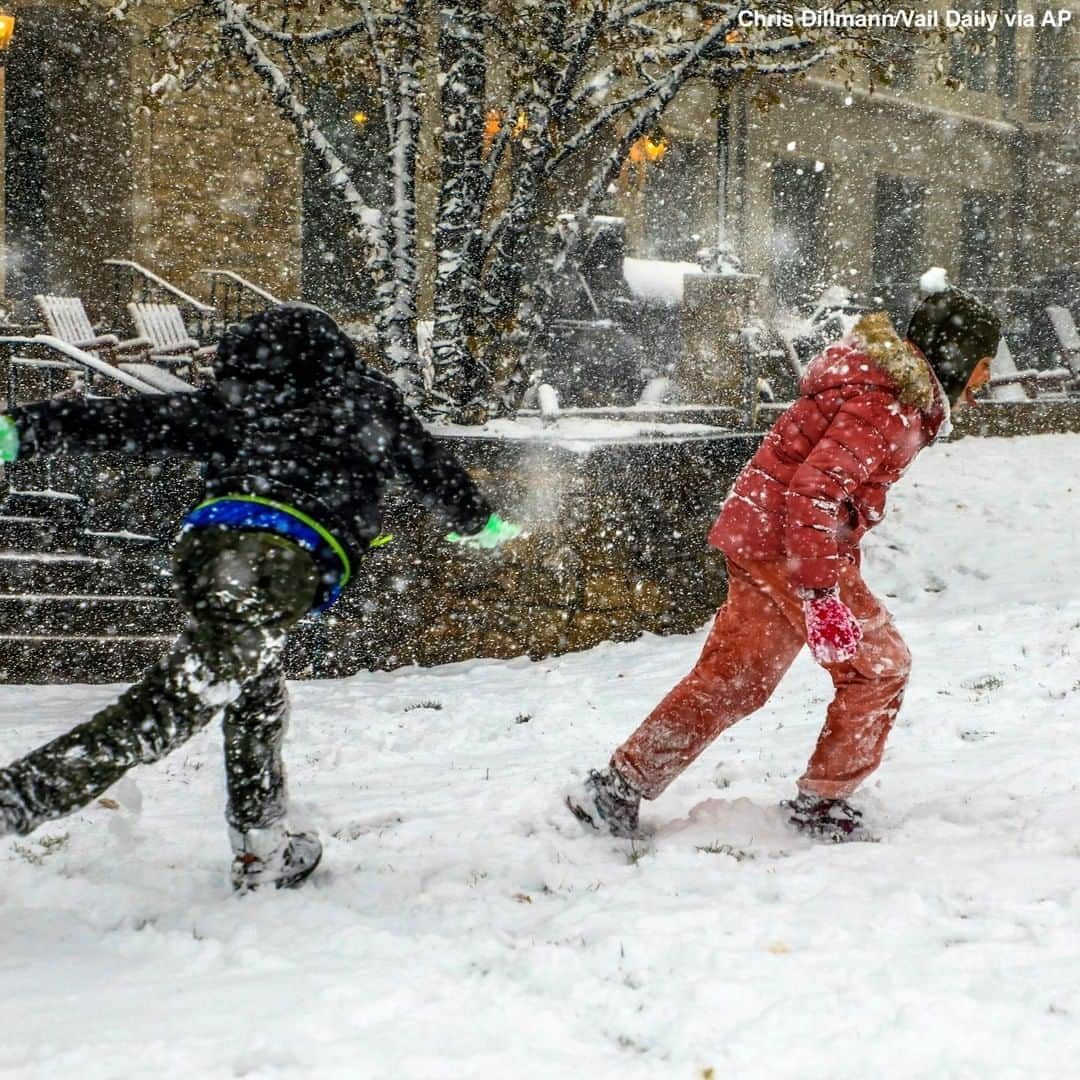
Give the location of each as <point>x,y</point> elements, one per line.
<point>539,105</point>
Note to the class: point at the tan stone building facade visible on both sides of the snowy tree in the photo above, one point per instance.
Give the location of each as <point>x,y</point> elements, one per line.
<point>829,185</point>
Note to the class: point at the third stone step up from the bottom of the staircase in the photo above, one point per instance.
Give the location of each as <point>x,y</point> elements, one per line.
<point>70,574</point>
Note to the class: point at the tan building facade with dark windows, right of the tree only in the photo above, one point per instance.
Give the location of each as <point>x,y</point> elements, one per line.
<point>866,188</point>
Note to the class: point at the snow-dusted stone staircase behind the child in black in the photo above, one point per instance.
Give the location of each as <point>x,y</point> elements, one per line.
<point>86,601</point>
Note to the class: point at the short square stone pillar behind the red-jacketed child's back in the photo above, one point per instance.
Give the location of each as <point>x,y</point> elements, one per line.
<point>713,368</point>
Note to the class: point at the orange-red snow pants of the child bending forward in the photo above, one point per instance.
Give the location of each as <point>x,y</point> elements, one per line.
<point>755,639</point>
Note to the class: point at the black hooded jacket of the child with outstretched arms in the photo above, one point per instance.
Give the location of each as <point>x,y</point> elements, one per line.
<point>295,417</point>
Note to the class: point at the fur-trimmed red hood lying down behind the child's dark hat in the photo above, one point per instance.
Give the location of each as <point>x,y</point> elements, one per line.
<point>874,356</point>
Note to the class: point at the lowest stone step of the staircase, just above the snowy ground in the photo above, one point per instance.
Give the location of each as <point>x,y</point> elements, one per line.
<point>62,659</point>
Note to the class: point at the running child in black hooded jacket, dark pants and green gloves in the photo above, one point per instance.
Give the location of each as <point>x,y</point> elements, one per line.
<point>300,440</point>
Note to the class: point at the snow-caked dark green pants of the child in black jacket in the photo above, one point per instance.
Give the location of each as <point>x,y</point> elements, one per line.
<point>242,591</point>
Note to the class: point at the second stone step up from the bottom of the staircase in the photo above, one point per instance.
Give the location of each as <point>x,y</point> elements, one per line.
<point>36,615</point>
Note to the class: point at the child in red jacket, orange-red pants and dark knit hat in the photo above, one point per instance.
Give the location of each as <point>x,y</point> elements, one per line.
<point>790,531</point>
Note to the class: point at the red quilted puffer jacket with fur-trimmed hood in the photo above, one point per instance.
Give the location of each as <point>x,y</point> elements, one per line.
<point>869,404</point>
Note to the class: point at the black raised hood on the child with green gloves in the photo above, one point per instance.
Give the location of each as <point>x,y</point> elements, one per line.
<point>287,350</point>
